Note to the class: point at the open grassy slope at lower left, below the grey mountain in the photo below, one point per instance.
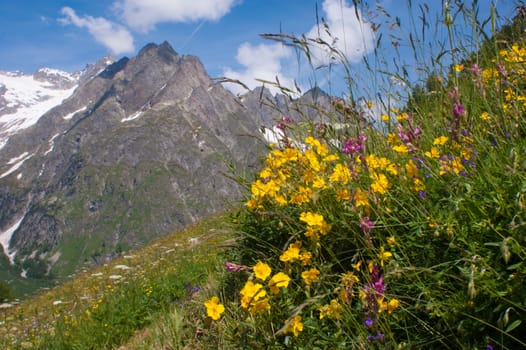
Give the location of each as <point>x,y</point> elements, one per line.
<point>104,307</point>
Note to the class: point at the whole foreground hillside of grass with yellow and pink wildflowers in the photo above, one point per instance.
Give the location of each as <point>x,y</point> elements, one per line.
<point>407,234</point>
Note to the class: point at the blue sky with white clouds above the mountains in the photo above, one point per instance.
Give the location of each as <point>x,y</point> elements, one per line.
<point>224,34</point>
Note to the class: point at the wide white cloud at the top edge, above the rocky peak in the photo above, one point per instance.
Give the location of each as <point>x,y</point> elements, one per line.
<point>143,15</point>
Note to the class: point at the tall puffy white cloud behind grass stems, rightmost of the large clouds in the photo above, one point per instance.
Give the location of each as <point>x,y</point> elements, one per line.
<point>354,37</point>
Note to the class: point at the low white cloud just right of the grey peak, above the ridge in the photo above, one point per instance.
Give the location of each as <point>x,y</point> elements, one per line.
<point>260,62</point>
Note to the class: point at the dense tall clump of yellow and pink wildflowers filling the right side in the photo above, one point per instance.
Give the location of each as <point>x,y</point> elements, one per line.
<point>408,232</point>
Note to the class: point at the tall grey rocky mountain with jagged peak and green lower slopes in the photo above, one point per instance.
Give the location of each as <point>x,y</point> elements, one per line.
<point>139,149</point>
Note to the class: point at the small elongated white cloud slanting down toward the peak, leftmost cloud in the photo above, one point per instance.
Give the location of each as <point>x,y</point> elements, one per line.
<point>113,36</point>
